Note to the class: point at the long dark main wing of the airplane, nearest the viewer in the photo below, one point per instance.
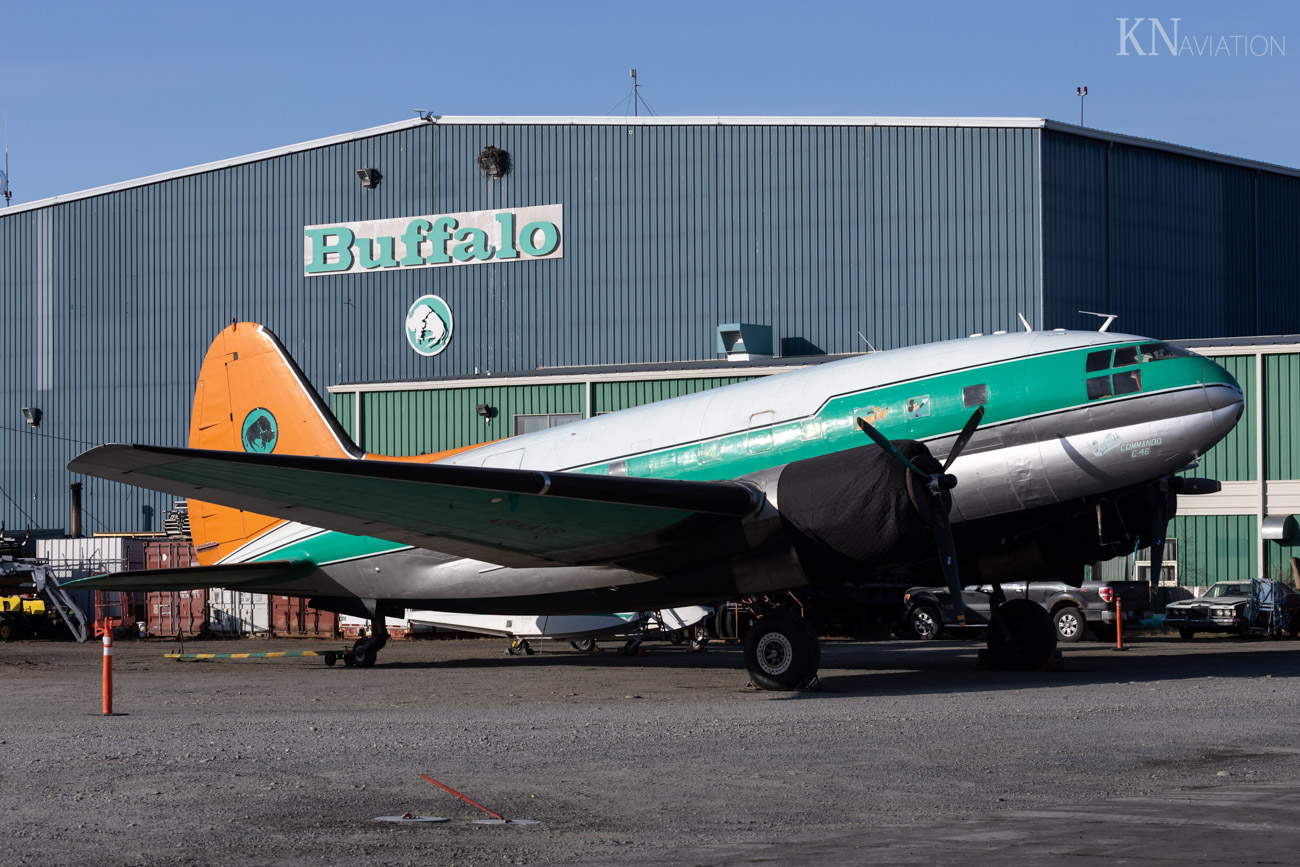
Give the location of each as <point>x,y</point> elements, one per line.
<point>521,518</point>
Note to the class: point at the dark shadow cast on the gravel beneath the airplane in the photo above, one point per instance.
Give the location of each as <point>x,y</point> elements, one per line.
<point>942,667</point>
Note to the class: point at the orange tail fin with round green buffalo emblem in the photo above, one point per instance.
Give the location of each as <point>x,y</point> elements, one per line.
<point>253,397</point>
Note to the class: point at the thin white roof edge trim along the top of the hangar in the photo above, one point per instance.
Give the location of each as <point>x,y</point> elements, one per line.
<point>991,123</point>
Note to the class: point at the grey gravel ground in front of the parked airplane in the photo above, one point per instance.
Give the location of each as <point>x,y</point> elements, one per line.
<point>669,758</point>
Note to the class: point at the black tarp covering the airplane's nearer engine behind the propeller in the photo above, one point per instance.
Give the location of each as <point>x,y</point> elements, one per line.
<point>850,513</point>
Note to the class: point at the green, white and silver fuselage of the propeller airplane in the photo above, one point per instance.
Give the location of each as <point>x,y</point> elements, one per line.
<point>1069,415</point>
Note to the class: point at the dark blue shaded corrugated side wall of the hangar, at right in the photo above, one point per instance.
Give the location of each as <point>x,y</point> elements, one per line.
<point>1177,246</point>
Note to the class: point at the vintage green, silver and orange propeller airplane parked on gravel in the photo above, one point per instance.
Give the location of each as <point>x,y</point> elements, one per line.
<point>1068,446</point>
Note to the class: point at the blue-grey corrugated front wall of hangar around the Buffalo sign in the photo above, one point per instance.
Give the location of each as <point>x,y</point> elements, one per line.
<point>907,235</point>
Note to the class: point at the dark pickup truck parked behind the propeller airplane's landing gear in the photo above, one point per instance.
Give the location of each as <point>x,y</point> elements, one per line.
<point>929,612</point>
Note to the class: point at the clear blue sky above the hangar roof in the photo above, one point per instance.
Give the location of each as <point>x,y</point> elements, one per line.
<point>101,93</point>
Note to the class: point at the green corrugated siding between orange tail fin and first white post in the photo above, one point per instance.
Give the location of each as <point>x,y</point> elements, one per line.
<point>415,423</point>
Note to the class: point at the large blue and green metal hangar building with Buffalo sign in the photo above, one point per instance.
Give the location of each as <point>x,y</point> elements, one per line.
<point>456,280</point>
